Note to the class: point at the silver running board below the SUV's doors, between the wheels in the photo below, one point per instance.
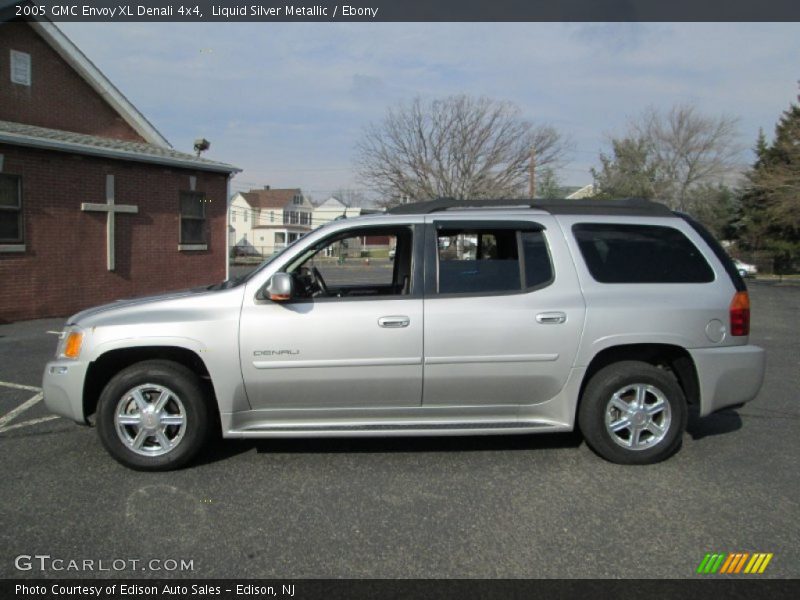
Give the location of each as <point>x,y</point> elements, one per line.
<point>396,429</point>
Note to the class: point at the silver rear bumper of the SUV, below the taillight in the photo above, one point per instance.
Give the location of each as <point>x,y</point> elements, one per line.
<point>728,376</point>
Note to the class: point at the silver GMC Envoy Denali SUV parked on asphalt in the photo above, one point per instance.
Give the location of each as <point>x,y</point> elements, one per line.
<point>494,317</point>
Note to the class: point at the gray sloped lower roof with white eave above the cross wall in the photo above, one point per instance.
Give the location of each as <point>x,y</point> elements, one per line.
<point>79,143</point>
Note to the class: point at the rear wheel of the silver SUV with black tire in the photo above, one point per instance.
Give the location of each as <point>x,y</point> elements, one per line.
<point>599,411</point>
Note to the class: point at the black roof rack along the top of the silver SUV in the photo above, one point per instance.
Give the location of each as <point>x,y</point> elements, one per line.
<point>636,207</point>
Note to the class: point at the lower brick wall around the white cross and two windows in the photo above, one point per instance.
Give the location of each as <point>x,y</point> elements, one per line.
<point>63,269</point>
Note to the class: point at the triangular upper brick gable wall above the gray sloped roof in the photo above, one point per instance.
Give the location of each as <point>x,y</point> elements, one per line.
<point>57,97</point>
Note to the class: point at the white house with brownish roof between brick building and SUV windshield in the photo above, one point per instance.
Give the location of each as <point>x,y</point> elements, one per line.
<point>264,221</point>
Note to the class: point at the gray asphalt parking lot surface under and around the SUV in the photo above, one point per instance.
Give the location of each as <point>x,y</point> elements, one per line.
<point>521,506</point>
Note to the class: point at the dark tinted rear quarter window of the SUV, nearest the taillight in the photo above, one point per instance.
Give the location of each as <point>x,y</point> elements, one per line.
<point>622,253</point>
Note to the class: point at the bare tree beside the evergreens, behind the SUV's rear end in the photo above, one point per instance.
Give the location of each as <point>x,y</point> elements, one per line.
<point>670,154</point>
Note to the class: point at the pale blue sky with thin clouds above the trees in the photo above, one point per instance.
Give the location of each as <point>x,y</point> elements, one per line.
<point>286,102</point>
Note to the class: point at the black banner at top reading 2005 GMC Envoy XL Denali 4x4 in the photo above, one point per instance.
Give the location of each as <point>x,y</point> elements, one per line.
<point>402,10</point>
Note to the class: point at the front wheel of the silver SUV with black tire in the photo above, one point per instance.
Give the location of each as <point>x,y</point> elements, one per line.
<point>187,401</point>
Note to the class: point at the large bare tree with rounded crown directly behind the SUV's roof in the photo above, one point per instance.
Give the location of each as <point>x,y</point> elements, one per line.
<point>458,147</point>
